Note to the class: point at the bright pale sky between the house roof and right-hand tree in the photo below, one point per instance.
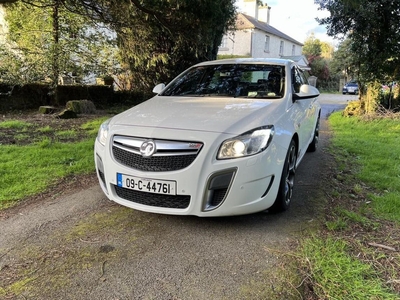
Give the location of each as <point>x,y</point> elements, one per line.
<point>296,18</point>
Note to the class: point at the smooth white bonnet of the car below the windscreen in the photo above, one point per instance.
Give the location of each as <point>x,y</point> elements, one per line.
<point>228,115</point>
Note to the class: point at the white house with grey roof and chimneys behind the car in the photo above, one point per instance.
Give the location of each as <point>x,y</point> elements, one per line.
<point>255,37</point>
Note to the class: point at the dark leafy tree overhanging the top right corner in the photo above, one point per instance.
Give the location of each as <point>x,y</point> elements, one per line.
<point>373,28</point>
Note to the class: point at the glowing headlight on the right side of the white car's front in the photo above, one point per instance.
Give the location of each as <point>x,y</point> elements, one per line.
<point>249,143</point>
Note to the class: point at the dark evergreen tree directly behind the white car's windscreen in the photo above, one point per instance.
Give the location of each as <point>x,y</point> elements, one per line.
<point>159,39</point>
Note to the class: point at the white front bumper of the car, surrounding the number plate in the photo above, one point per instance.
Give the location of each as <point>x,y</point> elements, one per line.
<point>207,187</point>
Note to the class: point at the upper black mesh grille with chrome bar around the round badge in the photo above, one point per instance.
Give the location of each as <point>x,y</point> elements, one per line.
<point>169,155</point>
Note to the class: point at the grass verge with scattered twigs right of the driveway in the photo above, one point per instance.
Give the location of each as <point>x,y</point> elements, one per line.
<point>356,254</point>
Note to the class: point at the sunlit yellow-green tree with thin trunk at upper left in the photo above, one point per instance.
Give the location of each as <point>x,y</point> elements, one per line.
<point>46,40</point>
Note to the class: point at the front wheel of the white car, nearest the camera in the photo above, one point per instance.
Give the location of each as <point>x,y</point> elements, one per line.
<point>285,192</point>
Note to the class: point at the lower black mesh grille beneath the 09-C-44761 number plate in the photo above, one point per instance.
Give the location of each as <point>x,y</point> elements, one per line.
<point>150,199</point>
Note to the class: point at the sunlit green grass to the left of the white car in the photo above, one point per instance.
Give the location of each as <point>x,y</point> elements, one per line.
<point>28,170</point>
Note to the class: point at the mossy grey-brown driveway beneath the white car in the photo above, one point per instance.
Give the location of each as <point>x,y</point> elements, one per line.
<point>79,245</point>
